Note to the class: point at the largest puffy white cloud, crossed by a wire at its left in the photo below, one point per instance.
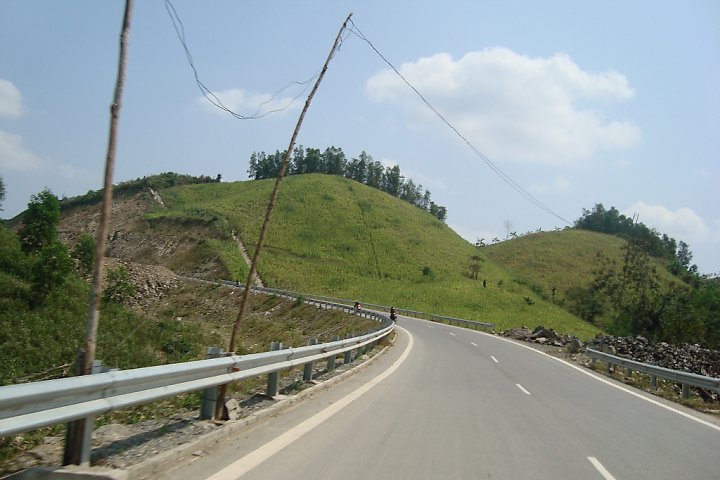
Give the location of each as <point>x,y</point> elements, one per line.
<point>514,107</point>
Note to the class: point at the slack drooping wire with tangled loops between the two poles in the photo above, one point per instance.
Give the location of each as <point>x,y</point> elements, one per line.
<point>210,96</point>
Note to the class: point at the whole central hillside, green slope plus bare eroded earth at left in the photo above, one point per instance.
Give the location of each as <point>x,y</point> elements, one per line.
<point>329,235</point>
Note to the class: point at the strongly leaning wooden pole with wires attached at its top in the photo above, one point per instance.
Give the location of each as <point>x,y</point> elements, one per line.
<point>268,214</point>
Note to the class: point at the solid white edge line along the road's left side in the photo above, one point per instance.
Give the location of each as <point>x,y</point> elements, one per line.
<point>256,457</point>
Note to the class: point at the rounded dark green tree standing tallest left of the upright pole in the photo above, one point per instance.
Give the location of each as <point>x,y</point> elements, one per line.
<point>40,222</point>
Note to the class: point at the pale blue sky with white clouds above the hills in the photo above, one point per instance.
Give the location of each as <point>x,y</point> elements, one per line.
<point>578,102</point>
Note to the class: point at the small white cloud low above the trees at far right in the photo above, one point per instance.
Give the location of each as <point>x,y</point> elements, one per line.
<point>682,224</point>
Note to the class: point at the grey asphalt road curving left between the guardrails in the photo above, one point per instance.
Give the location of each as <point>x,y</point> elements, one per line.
<point>450,403</point>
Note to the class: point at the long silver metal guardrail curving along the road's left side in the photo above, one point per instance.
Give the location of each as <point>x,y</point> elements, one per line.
<point>34,405</point>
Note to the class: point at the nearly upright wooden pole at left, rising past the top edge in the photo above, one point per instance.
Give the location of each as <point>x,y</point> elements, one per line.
<point>74,449</point>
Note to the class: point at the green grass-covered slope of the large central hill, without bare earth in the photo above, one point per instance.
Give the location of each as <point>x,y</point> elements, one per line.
<point>334,236</point>
